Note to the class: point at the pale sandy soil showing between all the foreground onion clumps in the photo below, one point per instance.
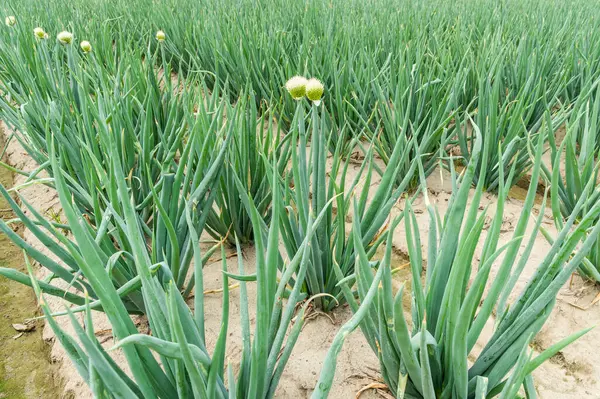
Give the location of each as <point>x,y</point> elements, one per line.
<point>571,374</point>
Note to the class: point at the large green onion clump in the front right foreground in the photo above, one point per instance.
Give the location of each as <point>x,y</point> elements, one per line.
<point>438,350</point>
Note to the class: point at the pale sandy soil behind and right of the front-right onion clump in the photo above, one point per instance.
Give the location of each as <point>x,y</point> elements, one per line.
<point>573,373</point>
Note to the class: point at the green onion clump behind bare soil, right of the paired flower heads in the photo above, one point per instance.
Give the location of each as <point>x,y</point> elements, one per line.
<point>413,105</point>
